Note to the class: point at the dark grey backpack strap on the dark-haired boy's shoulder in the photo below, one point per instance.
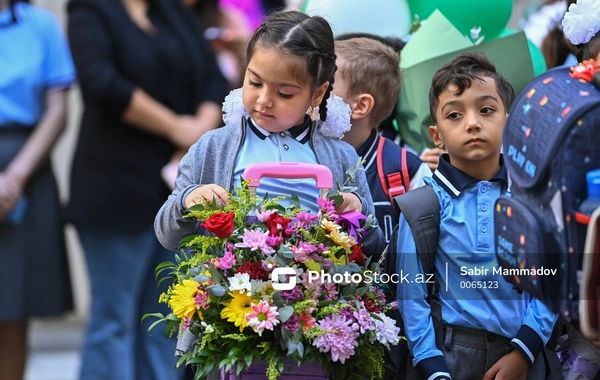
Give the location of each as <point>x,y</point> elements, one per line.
<point>421,209</point>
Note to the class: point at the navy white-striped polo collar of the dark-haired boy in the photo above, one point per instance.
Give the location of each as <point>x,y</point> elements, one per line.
<point>454,180</point>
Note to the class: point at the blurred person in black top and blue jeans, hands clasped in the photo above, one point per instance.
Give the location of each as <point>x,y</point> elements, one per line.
<point>151,87</point>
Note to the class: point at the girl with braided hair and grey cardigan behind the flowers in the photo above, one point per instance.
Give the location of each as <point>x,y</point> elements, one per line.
<point>290,68</point>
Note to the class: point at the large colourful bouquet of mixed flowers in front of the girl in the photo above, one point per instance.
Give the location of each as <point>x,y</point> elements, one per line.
<point>268,282</point>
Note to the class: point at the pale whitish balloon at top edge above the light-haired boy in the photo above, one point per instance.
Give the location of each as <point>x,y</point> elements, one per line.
<point>389,18</point>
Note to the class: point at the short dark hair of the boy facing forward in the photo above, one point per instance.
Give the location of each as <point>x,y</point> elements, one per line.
<point>461,72</point>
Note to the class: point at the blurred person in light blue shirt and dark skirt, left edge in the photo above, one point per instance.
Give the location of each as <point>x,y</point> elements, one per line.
<point>36,72</point>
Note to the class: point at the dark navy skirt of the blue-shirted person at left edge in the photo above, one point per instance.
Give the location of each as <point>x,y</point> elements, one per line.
<point>34,272</point>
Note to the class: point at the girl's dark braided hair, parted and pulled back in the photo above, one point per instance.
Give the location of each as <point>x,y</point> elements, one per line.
<point>307,38</point>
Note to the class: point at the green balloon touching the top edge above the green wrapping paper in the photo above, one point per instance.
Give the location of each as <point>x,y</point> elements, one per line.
<point>491,15</point>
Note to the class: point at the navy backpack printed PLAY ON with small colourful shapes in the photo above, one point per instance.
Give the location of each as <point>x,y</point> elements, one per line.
<point>551,140</point>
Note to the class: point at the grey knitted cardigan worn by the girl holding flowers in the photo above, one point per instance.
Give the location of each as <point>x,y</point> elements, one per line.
<point>211,160</point>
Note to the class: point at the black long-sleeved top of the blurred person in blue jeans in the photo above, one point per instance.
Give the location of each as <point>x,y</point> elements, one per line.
<point>116,180</point>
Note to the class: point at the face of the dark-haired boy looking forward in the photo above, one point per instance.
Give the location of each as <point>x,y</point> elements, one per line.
<point>470,125</point>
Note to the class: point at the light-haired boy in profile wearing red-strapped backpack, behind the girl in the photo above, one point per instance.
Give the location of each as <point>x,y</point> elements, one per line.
<point>368,79</point>
